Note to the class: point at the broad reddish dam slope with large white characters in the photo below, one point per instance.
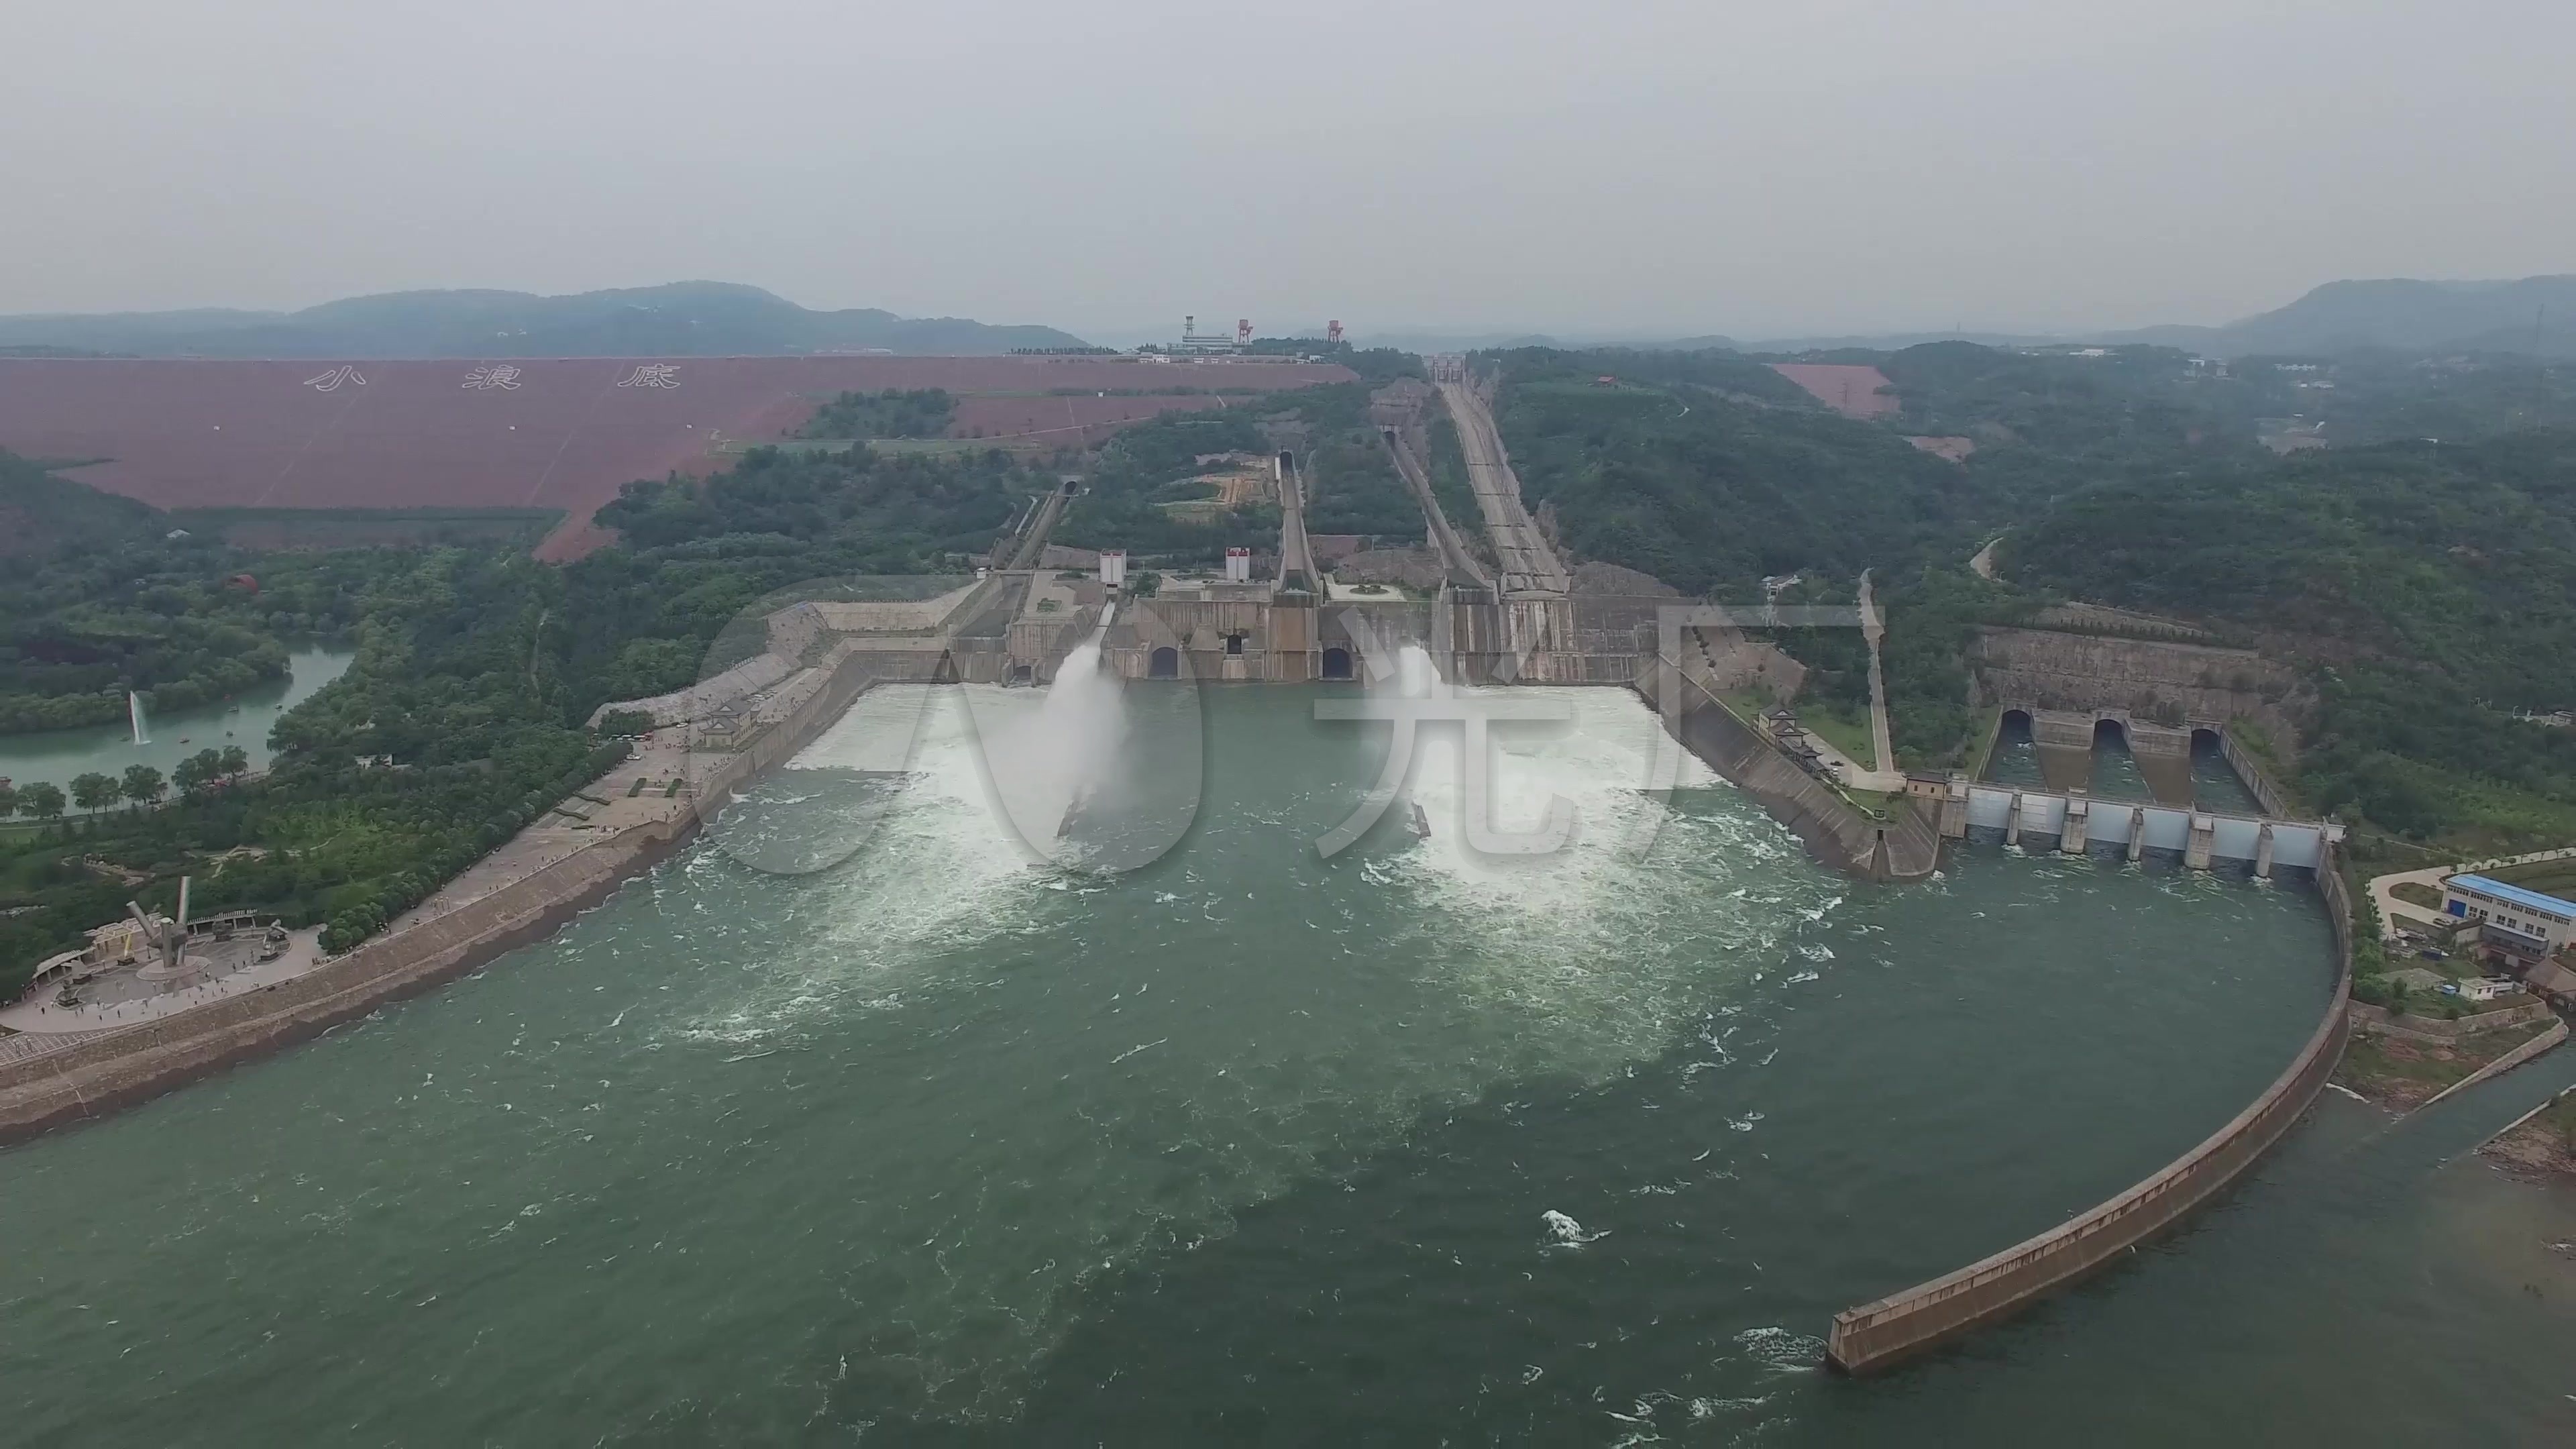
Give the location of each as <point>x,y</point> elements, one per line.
<point>532,432</point>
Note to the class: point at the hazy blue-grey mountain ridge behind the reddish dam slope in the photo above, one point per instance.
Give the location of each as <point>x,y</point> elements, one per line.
<point>684,318</point>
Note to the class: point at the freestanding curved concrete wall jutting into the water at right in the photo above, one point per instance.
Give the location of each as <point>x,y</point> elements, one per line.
<point>1879,1334</point>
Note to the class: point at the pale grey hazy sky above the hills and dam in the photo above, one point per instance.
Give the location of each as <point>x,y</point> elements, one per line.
<point>1748,169</point>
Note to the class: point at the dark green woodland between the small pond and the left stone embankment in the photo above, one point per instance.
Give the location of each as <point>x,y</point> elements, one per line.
<point>475,672</point>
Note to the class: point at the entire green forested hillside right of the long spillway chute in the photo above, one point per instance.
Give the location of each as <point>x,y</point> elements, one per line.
<point>2425,589</point>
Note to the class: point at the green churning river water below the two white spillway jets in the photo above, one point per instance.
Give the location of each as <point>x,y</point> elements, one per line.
<point>867,1123</point>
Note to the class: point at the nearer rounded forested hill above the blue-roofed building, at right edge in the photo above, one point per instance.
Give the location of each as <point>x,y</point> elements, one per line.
<point>2428,587</point>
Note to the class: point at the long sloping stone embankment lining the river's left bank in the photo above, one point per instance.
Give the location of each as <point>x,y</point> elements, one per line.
<point>109,1071</point>
